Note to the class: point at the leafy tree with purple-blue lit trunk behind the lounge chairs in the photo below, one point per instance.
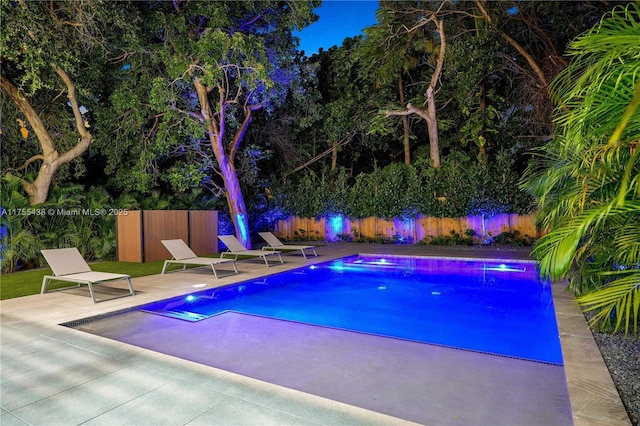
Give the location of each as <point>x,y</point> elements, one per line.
<point>223,61</point>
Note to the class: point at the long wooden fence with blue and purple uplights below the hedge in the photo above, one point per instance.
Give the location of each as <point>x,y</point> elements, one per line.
<point>410,230</point>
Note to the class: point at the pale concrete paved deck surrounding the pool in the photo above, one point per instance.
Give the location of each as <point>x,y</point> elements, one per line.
<point>53,375</point>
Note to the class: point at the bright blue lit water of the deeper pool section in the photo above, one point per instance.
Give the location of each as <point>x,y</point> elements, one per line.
<point>497,308</point>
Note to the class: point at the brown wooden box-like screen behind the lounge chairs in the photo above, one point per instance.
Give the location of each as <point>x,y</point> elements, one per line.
<point>140,233</point>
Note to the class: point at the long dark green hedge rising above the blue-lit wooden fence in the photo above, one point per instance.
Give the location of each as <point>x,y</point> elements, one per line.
<point>460,187</point>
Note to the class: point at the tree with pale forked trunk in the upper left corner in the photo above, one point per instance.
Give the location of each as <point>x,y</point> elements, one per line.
<point>49,50</point>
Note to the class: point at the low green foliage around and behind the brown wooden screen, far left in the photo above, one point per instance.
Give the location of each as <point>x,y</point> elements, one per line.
<point>75,217</point>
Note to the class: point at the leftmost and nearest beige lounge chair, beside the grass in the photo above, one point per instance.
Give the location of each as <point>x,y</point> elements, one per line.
<point>68,265</point>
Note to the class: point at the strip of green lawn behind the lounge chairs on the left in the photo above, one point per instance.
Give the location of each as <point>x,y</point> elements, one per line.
<point>29,282</point>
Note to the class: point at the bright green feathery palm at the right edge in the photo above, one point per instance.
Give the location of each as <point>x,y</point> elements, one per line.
<point>587,181</point>
